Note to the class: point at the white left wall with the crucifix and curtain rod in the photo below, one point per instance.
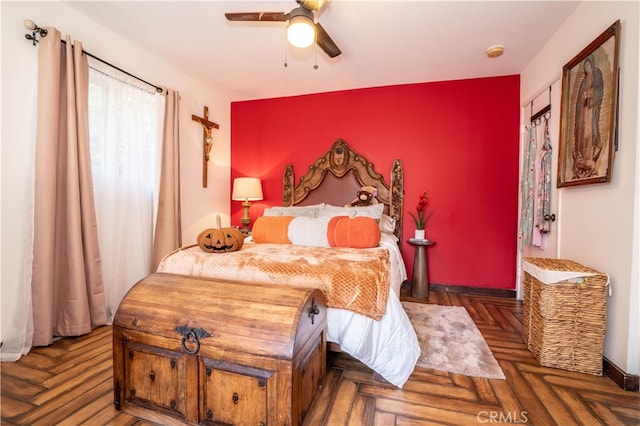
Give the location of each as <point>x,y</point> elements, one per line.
<point>19,59</point>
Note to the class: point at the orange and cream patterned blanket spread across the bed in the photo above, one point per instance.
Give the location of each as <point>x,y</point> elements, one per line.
<point>353,279</point>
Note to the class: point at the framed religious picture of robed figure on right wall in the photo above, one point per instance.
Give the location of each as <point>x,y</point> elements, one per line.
<point>588,112</point>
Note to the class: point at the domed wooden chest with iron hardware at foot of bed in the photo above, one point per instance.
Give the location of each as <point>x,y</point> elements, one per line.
<point>192,350</point>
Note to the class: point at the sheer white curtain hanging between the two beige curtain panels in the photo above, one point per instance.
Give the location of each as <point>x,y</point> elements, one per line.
<point>125,122</point>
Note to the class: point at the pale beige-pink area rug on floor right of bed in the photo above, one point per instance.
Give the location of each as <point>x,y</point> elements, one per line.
<point>450,341</point>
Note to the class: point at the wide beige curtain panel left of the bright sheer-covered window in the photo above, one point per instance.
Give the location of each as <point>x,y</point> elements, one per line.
<point>67,287</point>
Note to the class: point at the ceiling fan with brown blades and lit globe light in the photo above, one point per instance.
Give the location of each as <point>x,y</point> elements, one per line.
<point>302,29</point>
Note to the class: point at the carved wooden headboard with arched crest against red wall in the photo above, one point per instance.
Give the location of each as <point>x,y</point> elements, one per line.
<point>349,172</point>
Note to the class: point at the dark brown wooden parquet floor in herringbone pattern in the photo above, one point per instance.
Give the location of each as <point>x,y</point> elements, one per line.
<point>70,383</point>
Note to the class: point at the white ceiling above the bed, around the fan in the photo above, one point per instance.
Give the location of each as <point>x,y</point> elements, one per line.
<point>382,42</point>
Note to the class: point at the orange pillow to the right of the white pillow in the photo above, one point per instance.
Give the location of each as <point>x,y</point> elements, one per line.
<point>356,232</point>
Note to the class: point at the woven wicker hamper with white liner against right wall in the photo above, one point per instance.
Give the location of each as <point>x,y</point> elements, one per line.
<point>564,323</point>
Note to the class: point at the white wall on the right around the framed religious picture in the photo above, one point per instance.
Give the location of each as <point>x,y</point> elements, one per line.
<point>598,224</point>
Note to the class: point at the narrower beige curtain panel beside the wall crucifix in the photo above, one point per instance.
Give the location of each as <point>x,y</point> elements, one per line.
<point>168,232</point>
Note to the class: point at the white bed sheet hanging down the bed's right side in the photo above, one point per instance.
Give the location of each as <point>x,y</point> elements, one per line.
<point>390,346</point>
